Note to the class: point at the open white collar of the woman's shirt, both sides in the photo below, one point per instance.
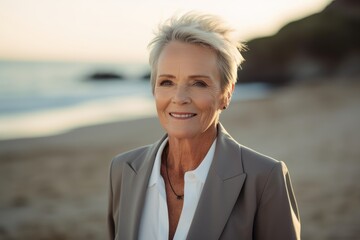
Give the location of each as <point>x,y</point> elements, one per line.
<point>200,172</point>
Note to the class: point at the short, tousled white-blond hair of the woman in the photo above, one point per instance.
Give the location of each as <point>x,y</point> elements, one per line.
<point>202,29</point>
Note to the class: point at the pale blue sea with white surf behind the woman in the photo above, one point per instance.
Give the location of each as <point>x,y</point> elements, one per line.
<point>45,98</point>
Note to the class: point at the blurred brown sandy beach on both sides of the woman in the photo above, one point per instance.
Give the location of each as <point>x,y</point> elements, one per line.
<point>56,187</point>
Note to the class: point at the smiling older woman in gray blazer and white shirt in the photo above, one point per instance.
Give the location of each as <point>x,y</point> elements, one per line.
<point>197,182</point>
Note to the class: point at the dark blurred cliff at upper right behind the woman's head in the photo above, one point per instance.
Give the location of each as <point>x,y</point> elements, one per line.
<point>321,45</point>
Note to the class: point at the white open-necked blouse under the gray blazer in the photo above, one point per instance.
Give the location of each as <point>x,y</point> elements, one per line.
<point>154,224</point>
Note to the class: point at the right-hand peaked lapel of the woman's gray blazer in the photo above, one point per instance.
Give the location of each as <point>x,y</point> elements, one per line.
<point>221,190</point>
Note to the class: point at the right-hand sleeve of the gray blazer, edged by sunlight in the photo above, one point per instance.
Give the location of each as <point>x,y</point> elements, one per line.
<point>277,215</point>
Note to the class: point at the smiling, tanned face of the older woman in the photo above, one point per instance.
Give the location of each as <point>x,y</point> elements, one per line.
<point>187,90</point>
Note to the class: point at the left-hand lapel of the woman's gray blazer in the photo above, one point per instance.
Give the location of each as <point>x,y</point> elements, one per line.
<point>134,183</point>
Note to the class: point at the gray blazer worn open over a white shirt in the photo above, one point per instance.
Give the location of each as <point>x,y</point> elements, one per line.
<point>246,195</point>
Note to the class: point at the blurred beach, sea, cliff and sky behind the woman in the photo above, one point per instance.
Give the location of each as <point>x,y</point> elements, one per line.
<point>74,92</point>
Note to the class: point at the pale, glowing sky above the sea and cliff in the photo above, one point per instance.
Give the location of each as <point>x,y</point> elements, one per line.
<point>115,30</point>
